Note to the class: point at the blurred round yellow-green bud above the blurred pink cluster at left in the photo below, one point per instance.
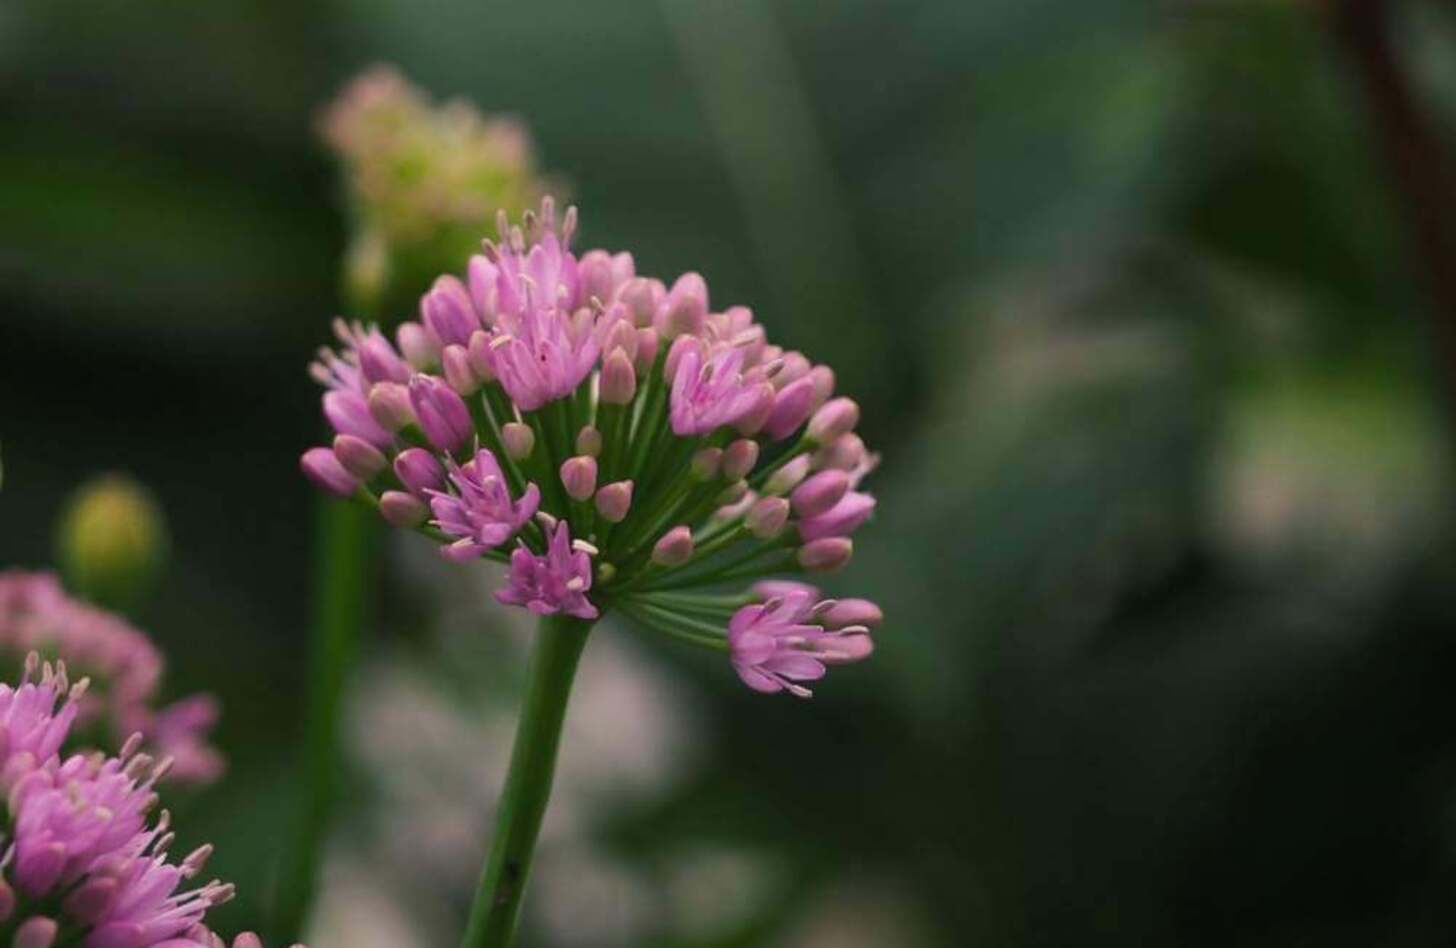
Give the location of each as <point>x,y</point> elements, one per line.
<point>113,541</point>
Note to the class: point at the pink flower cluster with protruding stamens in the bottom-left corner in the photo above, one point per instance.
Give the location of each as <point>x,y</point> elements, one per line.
<point>87,861</point>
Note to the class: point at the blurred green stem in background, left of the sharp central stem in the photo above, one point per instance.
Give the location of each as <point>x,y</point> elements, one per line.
<point>343,560</point>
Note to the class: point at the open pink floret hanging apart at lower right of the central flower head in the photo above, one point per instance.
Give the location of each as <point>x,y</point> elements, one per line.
<point>775,646</point>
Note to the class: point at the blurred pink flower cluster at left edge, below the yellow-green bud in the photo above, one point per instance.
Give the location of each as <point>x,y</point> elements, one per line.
<point>37,615</point>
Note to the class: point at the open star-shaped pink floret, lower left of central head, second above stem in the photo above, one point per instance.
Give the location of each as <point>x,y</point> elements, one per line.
<point>481,510</point>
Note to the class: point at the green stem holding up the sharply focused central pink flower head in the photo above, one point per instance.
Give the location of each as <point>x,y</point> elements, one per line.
<point>497,905</point>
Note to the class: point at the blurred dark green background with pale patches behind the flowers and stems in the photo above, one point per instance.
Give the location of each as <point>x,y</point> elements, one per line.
<point>1138,318</point>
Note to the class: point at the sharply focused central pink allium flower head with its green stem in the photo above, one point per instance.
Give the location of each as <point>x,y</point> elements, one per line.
<point>633,449</point>
